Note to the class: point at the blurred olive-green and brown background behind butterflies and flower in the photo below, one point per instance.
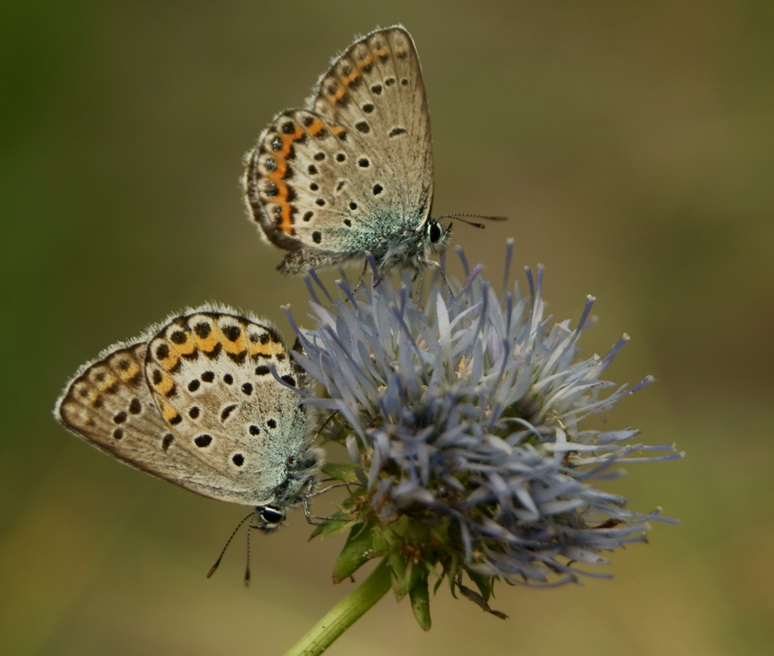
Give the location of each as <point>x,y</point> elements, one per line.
<point>629,143</point>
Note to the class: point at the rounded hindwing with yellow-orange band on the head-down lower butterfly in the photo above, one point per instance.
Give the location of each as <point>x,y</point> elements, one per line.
<point>210,375</point>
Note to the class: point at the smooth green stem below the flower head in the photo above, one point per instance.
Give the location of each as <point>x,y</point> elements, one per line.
<point>344,614</point>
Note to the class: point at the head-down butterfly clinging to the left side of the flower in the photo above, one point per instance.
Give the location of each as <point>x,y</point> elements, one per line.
<point>195,400</point>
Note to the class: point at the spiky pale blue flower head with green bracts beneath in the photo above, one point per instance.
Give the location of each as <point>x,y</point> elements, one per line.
<point>462,412</point>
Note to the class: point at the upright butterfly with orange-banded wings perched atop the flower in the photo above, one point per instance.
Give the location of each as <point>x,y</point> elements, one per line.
<point>353,171</point>
